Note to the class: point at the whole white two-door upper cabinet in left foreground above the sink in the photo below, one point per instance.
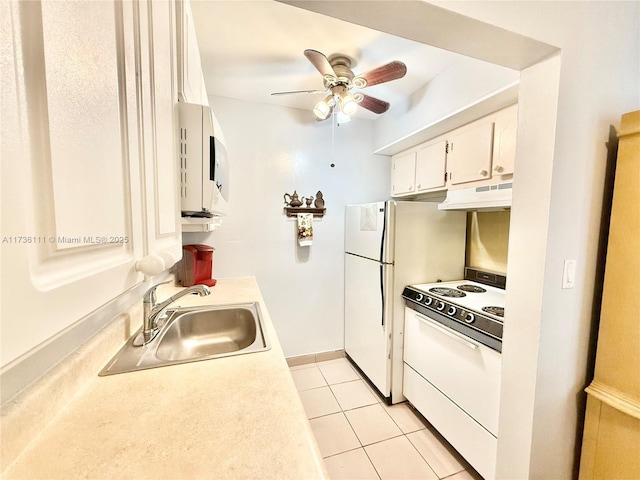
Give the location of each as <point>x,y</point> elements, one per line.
<point>88,120</point>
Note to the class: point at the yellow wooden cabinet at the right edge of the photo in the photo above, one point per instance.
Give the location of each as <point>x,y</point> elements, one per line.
<point>612,425</point>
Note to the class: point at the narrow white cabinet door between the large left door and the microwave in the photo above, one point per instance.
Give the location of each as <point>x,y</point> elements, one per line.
<point>159,111</point>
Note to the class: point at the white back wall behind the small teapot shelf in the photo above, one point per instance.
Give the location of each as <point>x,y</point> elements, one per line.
<point>273,150</point>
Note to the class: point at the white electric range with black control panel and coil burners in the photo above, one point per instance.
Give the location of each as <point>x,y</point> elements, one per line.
<point>453,362</point>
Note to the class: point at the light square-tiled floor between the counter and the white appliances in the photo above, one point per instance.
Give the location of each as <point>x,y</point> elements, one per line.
<point>361,437</point>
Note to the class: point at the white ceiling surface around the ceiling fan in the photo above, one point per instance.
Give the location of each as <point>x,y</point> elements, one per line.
<point>250,49</point>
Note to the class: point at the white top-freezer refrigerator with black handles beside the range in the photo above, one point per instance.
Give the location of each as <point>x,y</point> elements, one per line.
<point>389,245</point>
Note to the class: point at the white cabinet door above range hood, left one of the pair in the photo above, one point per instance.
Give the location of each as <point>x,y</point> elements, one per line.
<point>469,157</point>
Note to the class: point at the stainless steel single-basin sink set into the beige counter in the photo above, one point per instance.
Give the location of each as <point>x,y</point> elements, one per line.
<point>195,333</point>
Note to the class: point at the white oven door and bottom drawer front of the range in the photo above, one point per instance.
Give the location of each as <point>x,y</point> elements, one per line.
<point>455,383</point>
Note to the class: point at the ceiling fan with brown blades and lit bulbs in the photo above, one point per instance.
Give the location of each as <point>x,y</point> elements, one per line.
<point>341,84</point>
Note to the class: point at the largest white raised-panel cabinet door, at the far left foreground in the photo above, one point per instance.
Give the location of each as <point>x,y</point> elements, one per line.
<point>73,182</point>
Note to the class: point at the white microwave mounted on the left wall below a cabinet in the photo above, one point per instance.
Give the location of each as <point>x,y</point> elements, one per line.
<point>204,169</point>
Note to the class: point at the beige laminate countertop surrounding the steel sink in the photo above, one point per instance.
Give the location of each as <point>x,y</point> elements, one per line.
<point>227,418</point>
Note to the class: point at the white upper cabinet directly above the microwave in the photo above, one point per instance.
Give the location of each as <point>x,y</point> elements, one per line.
<point>191,86</point>
